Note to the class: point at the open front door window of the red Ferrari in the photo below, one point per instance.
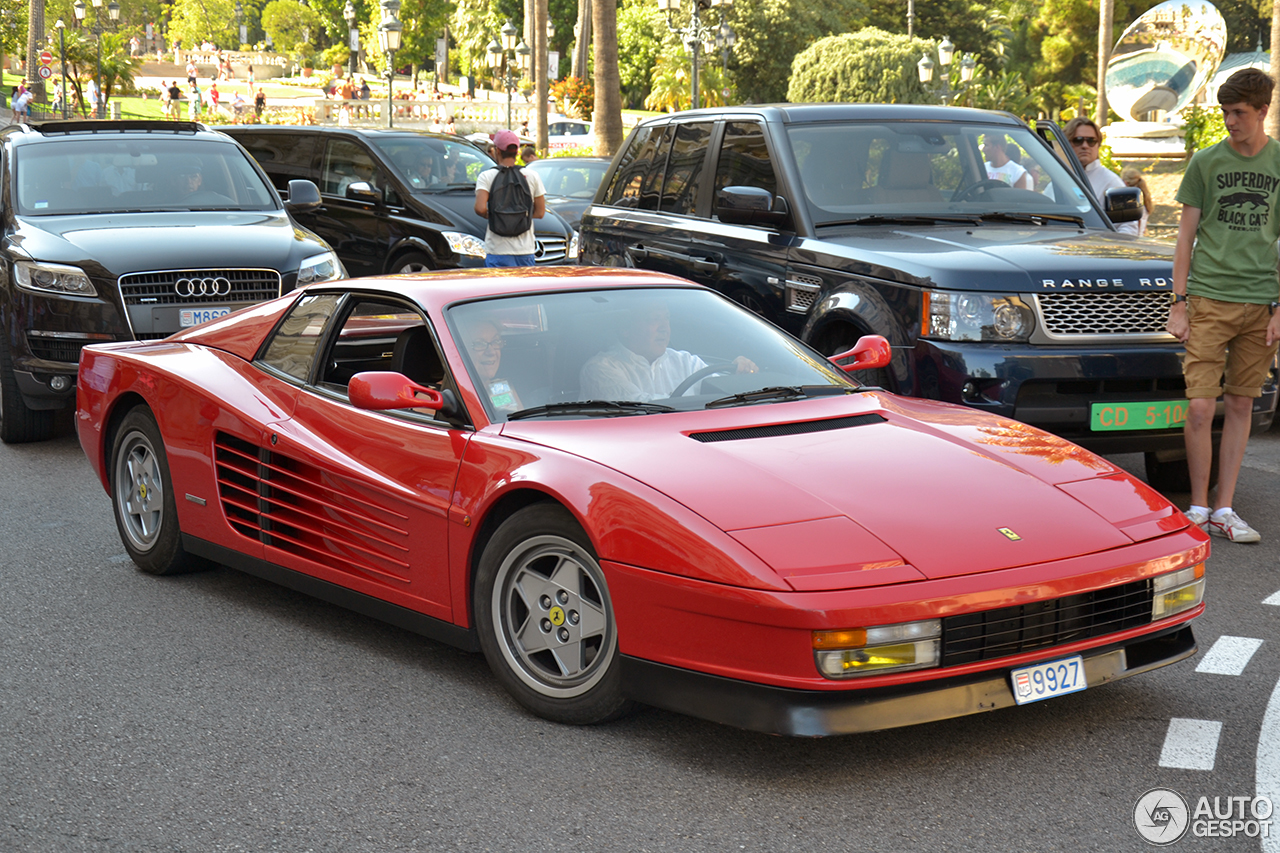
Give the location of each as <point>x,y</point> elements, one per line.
<point>381,335</point>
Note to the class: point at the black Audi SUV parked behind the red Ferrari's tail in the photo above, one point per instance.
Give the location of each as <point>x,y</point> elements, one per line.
<point>132,231</point>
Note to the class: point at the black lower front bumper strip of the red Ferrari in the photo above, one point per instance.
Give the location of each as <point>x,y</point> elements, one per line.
<point>815,714</point>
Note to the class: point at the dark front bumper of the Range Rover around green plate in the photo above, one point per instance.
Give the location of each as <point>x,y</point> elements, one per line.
<point>1054,389</point>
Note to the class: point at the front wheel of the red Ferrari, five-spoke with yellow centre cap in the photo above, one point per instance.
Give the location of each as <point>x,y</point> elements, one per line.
<point>546,622</point>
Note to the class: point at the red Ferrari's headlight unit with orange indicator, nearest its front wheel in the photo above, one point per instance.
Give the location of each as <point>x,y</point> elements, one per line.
<point>879,651</point>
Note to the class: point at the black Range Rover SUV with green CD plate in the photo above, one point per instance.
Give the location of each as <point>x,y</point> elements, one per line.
<point>1002,288</point>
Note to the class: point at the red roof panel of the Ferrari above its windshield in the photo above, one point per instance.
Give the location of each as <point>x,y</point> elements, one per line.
<point>438,290</point>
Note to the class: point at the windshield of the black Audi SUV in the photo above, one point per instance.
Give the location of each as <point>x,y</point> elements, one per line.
<point>109,175</point>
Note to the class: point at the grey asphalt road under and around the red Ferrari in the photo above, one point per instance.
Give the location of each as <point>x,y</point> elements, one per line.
<point>221,713</point>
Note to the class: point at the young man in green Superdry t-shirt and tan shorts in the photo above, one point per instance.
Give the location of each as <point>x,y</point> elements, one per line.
<point>1227,291</point>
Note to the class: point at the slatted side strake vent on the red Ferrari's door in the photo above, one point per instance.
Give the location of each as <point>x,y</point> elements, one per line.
<point>298,508</point>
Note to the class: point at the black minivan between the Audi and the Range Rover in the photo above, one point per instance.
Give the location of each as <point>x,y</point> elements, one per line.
<point>394,200</point>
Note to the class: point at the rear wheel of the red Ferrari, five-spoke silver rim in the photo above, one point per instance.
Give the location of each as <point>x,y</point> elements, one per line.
<point>143,499</point>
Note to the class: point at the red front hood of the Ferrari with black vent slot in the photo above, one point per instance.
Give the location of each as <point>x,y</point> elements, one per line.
<point>876,477</point>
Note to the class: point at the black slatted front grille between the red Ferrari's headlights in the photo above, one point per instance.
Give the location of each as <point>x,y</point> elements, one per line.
<point>1011,631</point>
